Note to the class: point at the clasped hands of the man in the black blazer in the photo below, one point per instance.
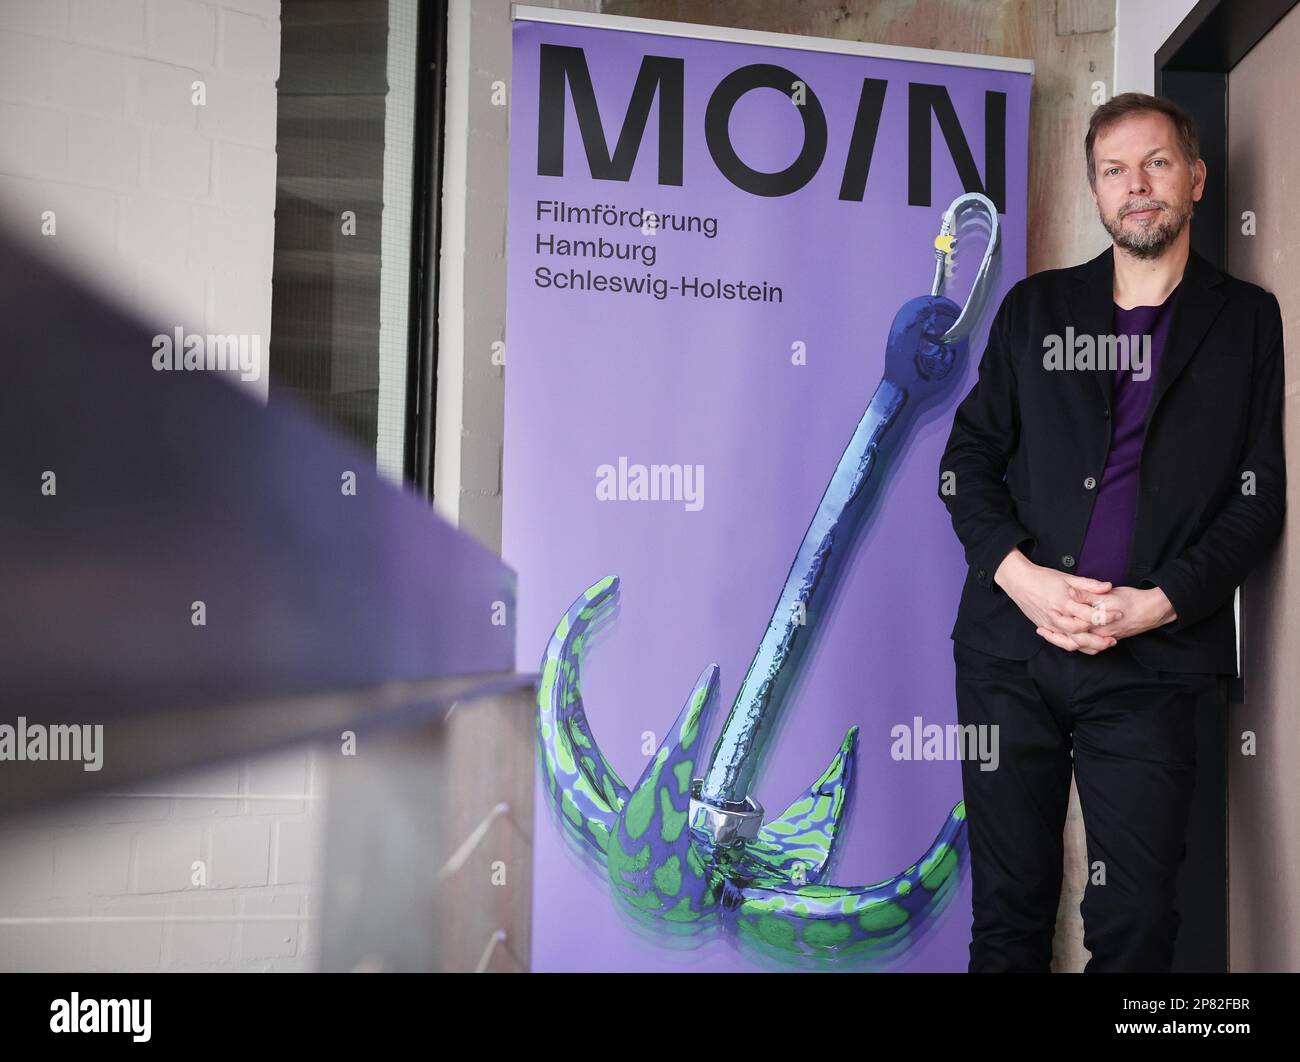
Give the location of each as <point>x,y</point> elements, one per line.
<point>1081,614</point>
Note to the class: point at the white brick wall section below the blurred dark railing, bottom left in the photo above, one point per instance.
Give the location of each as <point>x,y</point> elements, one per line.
<point>254,830</point>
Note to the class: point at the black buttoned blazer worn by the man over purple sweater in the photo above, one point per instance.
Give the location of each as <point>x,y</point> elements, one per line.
<point>1215,417</point>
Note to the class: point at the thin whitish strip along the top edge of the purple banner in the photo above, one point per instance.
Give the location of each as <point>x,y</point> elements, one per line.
<point>526,12</point>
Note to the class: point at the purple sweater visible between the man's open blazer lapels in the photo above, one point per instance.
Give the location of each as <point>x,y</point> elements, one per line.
<point>1106,547</point>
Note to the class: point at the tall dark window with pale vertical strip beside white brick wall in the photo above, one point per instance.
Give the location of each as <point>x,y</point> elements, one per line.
<point>354,189</point>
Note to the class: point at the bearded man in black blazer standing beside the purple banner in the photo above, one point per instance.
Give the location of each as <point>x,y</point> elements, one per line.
<point>1134,408</point>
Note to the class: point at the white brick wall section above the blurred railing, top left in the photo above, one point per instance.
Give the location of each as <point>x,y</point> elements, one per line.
<point>161,203</point>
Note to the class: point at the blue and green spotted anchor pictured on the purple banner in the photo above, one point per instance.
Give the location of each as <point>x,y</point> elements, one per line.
<point>687,855</point>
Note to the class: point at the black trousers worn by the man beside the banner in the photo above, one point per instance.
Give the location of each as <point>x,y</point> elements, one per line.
<point>1133,735</point>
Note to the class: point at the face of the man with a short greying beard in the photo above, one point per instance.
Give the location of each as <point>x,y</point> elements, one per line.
<point>1145,188</point>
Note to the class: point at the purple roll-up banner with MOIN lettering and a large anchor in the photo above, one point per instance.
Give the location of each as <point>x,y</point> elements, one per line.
<point>751,278</point>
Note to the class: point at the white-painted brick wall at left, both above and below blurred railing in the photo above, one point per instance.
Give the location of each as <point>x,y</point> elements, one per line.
<point>170,207</point>
